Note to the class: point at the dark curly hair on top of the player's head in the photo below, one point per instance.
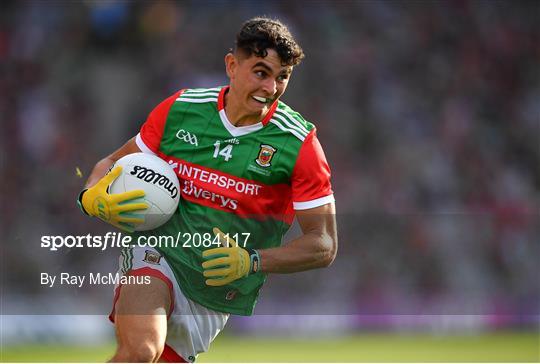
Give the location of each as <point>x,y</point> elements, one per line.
<point>258,34</point>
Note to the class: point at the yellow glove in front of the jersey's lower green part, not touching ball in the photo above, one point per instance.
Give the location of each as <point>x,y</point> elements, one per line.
<point>225,265</point>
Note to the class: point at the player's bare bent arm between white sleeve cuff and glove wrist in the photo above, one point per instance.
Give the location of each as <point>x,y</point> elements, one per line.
<point>316,248</point>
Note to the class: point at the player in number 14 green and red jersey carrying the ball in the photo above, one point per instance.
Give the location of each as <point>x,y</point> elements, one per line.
<point>247,165</point>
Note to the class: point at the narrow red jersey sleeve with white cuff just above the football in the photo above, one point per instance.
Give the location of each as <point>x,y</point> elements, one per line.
<point>149,138</point>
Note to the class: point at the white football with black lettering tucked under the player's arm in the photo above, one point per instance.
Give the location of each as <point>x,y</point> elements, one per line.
<point>147,172</point>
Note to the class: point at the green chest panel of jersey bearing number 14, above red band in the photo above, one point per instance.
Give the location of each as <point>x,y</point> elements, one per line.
<point>261,155</point>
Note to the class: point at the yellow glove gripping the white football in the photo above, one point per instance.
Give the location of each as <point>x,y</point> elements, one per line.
<point>113,209</point>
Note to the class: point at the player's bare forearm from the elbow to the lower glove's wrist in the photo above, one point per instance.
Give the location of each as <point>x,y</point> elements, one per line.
<point>310,251</point>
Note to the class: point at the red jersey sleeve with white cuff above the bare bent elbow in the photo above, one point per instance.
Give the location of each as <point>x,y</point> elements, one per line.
<point>311,185</point>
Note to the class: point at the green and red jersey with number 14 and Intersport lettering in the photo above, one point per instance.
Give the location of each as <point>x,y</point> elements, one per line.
<point>247,179</point>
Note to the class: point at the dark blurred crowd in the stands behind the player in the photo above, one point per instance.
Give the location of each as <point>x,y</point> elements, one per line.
<point>429,114</point>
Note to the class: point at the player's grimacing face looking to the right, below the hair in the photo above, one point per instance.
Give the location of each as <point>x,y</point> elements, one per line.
<point>257,82</point>
